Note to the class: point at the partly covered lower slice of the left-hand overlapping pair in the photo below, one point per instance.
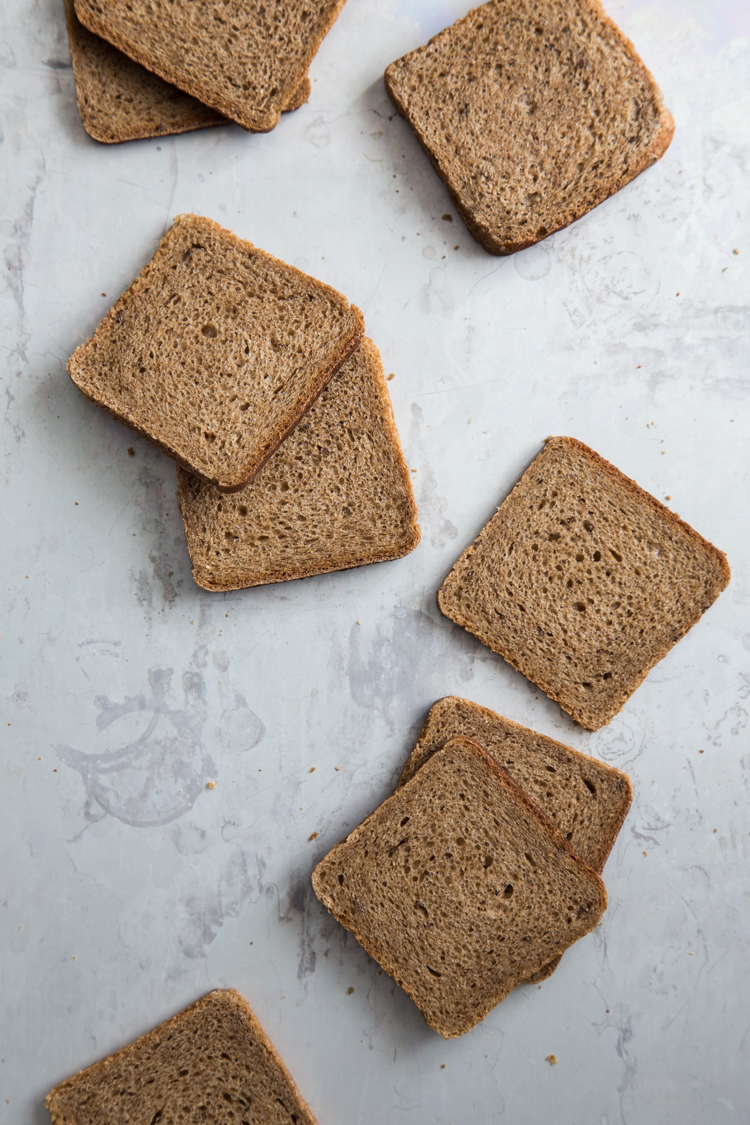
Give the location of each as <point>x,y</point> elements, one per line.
<point>336,494</point>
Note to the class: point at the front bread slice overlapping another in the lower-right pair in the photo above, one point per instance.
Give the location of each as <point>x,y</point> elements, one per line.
<point>460,887</point>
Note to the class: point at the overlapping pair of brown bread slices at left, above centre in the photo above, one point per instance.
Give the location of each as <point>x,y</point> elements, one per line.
<point>258,382</point>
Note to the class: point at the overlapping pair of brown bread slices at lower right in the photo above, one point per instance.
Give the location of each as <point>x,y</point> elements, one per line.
<point>483,868</point>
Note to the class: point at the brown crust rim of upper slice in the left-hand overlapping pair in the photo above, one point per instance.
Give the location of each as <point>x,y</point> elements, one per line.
<point>252,467</point>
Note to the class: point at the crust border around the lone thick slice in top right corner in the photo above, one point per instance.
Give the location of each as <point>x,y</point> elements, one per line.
<point>486,235</point>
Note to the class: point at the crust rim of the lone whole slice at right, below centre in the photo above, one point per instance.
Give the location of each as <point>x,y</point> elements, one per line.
<point>640,494</point>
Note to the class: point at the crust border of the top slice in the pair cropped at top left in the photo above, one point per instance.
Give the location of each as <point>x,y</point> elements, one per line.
<point>234,109</point>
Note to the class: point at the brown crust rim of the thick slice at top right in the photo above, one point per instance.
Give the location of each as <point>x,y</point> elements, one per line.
<point>484,235</point>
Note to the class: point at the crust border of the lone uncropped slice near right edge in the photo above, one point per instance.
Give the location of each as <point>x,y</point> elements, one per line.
<point>526,665</point>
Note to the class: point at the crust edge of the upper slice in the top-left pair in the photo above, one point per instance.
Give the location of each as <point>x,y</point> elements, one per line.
<point>257,123</point>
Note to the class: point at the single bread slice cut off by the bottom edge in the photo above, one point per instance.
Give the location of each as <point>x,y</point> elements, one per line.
<point>212,1063</point>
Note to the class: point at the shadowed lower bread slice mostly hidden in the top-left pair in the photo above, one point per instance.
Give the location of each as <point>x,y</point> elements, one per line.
<point>120,101</point>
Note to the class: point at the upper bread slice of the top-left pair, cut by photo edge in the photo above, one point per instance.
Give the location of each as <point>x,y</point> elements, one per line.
<point>245,60</point>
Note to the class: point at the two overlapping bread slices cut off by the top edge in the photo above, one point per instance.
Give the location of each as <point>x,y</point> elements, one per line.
<point>144,70</point>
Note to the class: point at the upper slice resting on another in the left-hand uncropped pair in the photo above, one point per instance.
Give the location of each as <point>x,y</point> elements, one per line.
<point>216,352</point>
